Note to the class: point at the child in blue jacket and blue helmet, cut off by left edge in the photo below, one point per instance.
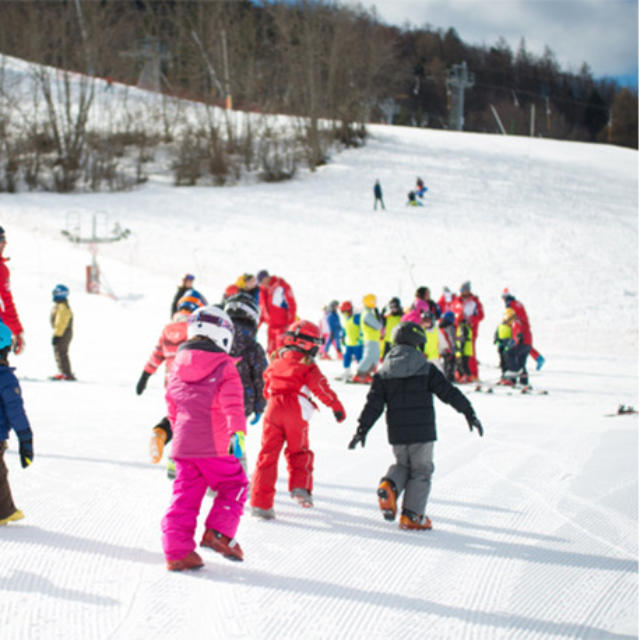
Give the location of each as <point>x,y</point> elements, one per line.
<point>12,416</point>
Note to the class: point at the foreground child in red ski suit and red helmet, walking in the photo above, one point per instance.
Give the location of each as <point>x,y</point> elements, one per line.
<point>291,380</point>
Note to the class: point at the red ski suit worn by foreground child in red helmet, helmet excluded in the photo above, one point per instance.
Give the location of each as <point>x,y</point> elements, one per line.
<point>289,382</point>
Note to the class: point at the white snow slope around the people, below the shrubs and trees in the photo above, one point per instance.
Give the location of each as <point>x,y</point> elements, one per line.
<point>535,525</point>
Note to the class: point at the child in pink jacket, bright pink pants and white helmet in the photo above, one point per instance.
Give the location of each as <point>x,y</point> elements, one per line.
<point>205,401</point>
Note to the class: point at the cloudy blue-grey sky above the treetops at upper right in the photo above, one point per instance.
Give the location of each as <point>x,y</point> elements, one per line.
<point>602,33</point>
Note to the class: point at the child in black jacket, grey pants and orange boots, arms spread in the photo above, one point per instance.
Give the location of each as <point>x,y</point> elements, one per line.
<point>405,384</point>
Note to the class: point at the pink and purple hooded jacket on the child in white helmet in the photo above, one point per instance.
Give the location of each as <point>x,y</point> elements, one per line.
<point>205,401</point>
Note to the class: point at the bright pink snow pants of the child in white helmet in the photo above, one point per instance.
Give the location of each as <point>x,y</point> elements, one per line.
<point>193,476</point>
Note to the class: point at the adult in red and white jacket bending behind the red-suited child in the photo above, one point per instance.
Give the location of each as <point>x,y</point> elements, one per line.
<point>277,307</point>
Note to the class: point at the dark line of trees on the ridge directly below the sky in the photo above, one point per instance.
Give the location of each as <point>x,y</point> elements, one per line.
<point>320,62</point>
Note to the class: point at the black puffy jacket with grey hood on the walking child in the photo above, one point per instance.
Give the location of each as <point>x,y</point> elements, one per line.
<point>405,384</point>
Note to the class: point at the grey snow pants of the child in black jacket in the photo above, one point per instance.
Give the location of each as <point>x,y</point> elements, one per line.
<point>412,474</point>
